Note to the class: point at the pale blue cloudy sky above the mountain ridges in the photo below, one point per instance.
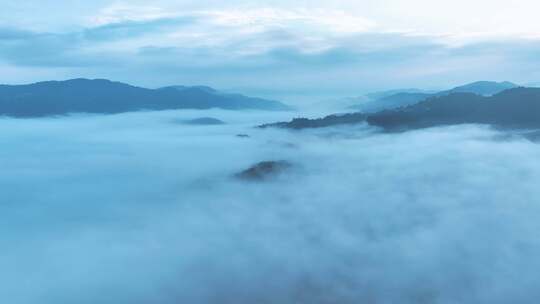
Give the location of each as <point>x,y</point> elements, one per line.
<point>282,49</point>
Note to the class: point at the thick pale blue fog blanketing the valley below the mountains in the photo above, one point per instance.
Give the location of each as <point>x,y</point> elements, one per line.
<point>140,208</point>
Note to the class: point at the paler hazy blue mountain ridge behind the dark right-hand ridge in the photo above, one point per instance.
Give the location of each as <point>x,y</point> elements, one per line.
<point>400,98</point>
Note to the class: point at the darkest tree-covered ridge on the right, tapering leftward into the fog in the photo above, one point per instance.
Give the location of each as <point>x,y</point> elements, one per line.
<point>514,108</point>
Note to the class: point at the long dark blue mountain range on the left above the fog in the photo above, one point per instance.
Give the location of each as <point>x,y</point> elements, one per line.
<point>107,97</point>
